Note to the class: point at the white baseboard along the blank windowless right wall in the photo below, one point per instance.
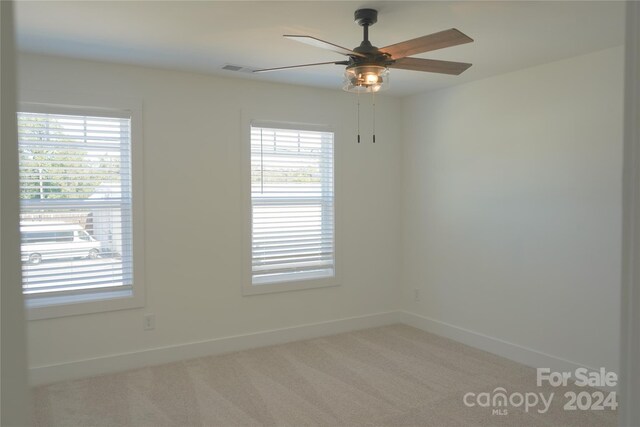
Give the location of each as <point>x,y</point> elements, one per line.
<point>515,352</point>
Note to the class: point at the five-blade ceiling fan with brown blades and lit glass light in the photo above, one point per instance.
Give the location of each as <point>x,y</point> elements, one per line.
<point>367,67</point>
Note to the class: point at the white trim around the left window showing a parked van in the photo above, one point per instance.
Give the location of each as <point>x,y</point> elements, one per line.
<point>96,301</point>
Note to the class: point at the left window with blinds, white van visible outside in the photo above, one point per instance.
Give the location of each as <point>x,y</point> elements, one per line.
<point>76,210</point>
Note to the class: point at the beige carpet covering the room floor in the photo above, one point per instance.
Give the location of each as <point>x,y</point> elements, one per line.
<point>389,376</point>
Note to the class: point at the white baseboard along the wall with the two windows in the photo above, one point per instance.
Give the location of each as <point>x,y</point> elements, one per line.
<point>41,375</point>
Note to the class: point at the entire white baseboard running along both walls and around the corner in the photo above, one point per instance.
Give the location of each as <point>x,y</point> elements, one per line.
<point>40,375</point>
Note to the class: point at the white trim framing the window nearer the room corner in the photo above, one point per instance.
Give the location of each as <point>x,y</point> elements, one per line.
<point>248,288</point>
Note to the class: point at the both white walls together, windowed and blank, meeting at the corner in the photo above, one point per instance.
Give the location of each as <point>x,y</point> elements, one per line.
<point>510,200</point>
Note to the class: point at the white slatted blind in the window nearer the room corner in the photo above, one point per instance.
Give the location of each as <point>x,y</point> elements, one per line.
<point>292,205</point>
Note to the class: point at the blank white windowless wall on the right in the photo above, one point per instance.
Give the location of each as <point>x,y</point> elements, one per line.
<point>512,208</point>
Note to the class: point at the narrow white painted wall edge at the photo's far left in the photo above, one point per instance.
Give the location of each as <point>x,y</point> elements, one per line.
<point>14,397</point>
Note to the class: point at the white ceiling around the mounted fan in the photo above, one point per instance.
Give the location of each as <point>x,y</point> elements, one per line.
<point>203,36</point>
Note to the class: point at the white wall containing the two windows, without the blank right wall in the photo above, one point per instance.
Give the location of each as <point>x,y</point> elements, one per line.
<point>193,218</point>
